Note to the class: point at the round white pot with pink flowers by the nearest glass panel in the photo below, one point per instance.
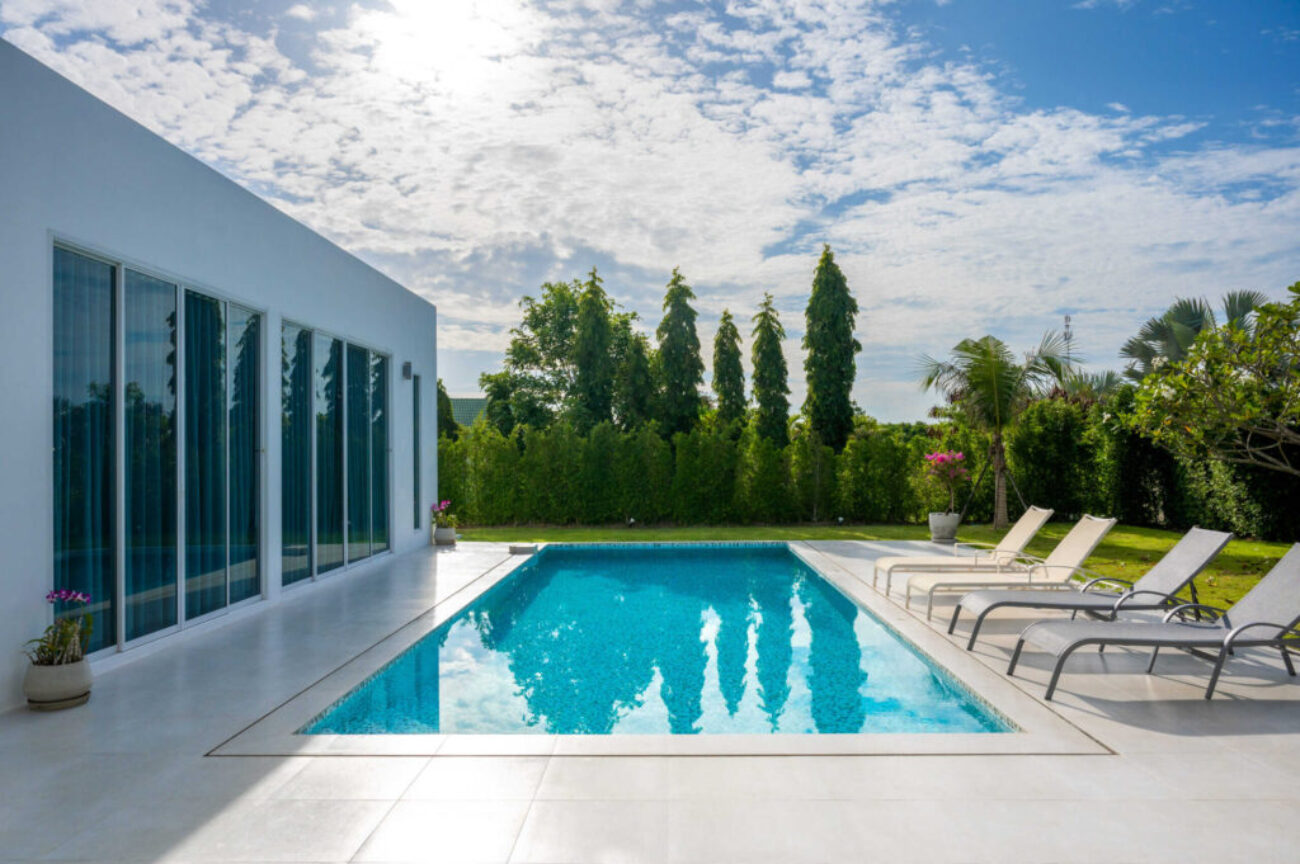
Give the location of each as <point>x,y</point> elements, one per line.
<point>59,676</point>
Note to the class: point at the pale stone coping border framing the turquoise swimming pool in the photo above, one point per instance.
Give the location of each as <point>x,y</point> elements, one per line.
<point>1041,731</point>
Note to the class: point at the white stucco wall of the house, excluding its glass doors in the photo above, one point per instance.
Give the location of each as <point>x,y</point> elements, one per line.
<point>76,171</point>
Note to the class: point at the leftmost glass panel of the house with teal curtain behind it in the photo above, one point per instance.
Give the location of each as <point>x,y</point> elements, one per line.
<point>84,436</point>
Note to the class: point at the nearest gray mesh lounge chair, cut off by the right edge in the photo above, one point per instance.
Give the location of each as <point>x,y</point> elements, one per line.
<point>1268,614</point>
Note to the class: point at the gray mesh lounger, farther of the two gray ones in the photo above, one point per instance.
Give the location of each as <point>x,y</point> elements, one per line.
<point>1155,591</point>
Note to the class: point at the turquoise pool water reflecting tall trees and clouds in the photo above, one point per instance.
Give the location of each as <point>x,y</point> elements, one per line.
<point>677,640</point>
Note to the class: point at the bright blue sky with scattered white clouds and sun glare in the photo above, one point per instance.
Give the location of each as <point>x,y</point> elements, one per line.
<point>977,166</point>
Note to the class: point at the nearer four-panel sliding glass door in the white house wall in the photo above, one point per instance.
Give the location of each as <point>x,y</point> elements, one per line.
<point>164,384</point>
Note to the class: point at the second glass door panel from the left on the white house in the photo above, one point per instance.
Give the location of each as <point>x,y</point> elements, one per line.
<point>150,453</point>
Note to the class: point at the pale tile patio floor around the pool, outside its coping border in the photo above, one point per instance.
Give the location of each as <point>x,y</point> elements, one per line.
<point>127,779</point>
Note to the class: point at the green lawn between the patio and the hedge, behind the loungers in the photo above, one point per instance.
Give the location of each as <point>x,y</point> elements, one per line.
<point>1126,552</point>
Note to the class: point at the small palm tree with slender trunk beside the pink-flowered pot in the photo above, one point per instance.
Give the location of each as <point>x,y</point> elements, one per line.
<point>985,383</point>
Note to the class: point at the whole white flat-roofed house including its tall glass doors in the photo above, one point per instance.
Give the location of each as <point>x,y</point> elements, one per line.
<point>206,403</point>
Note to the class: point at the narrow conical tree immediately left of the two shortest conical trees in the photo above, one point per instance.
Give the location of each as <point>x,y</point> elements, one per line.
<point>681,366</point>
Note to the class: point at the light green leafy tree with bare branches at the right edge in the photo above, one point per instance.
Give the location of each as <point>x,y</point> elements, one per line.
<point>1236,396</point>
